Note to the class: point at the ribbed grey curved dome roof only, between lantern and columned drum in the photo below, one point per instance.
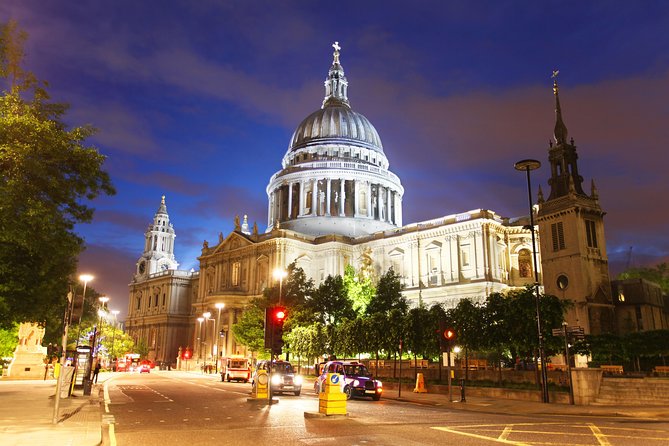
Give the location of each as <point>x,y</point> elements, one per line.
<point>336,123</point>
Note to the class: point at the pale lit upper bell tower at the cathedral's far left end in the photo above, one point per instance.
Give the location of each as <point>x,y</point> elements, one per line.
<point>158,245</point>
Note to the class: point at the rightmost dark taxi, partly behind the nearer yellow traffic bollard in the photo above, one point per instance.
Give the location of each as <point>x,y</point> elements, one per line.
<point>357,381</point>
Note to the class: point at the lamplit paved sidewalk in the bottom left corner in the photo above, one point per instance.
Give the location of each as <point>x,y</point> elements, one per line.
<point>26,414</point>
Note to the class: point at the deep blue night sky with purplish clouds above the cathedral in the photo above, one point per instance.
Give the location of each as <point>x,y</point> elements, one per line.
<point>197,100</point>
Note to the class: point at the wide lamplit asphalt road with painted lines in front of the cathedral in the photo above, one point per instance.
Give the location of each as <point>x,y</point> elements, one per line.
<point>165,408</point>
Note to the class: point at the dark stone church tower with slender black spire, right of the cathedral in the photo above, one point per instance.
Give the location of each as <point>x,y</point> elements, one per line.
<point>571,233</point>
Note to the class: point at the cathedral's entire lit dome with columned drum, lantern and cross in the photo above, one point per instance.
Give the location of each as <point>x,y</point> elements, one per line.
<point>335,176</point>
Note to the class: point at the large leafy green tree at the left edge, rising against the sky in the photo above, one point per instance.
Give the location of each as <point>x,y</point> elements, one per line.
<point>47,174</point>
